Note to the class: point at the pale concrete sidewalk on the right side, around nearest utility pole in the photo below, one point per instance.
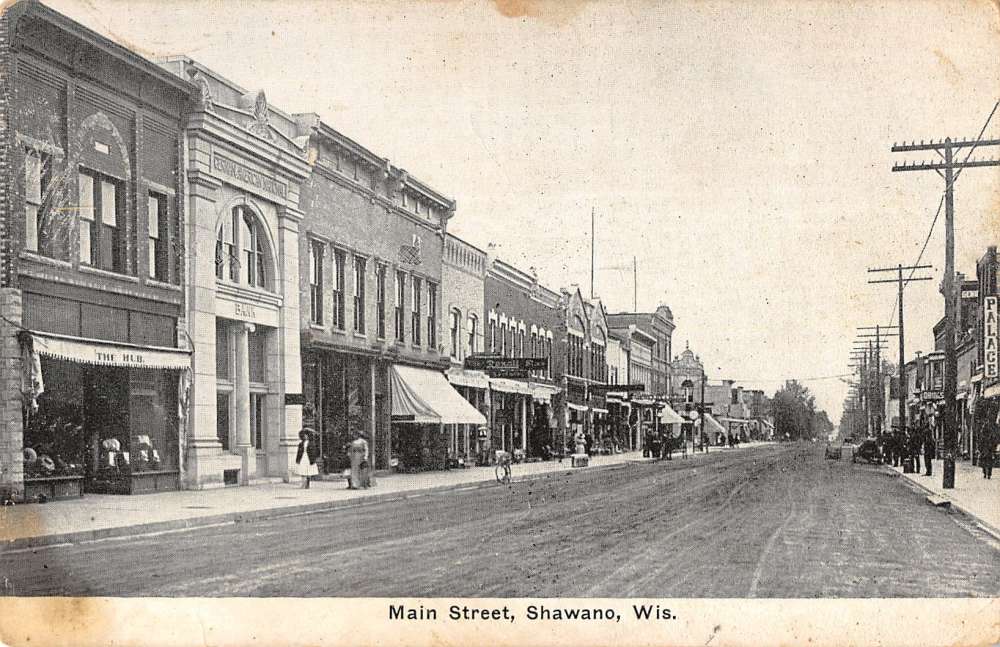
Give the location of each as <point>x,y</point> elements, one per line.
<point>972,494</point>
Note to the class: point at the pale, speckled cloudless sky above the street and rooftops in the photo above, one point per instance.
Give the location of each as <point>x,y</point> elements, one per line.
<point>740,152</point>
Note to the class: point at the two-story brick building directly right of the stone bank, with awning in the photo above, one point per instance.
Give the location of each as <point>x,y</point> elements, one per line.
<point>371,257</point>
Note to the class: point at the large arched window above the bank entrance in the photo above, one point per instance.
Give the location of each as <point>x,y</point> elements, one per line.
<point>241,251</point>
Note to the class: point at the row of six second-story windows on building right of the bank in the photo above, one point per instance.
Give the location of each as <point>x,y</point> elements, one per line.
<point>360,269</point>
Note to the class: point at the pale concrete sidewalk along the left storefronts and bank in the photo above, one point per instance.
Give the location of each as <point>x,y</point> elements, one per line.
<point>97,516</point>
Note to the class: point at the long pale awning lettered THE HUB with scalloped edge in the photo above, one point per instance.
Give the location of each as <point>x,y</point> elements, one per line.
<point>105,353</point>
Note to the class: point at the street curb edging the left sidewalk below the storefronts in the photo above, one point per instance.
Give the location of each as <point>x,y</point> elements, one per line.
<point>193,523</point>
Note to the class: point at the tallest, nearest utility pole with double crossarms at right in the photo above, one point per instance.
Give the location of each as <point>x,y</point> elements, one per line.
<point>947,169</point>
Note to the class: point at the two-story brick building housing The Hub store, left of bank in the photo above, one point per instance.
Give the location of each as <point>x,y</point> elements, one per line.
<point>93,262</point>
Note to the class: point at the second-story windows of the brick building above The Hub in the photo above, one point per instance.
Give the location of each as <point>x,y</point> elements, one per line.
<point>103,221</point>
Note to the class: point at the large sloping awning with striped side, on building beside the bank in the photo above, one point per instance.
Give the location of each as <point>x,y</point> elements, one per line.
<point>422,396</point>
